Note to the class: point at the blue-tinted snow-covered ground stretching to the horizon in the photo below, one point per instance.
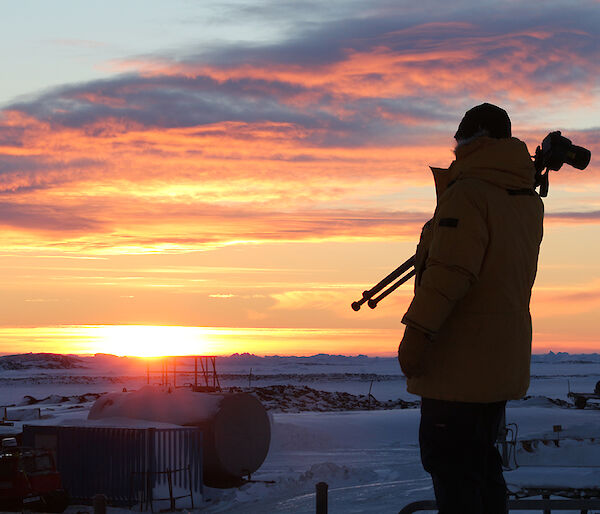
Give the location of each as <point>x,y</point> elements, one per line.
<point>369,458</point>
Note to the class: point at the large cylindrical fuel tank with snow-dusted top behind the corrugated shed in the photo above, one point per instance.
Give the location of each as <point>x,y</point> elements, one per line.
<point>236,431</point>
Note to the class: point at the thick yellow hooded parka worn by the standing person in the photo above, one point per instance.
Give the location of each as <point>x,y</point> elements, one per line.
<point>476,264</point>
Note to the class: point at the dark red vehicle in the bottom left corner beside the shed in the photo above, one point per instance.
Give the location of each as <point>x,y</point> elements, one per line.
<point>29,480</point>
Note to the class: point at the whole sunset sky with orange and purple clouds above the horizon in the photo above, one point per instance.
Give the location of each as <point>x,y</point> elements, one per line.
<point>215,177</point>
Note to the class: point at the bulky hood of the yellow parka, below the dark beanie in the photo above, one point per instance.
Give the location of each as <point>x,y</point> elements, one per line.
<point>503,162</point>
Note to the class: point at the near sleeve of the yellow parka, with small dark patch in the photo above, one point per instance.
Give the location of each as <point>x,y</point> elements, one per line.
<point>459,242</point>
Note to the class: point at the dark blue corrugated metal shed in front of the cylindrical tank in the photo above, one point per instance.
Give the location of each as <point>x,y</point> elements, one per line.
<point>128,465</point>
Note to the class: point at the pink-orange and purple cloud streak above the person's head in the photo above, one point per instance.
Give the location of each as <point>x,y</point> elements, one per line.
<point>455,59</point>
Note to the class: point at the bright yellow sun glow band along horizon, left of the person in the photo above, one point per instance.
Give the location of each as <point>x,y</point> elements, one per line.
<point>166,340</point>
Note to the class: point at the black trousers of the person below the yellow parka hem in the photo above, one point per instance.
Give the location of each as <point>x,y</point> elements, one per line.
<point>457,449</point>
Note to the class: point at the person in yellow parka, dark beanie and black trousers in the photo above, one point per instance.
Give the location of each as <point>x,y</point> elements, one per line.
<point>466,348</point>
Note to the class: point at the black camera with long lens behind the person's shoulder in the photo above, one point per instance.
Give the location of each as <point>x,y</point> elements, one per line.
<point>555,151</point>
